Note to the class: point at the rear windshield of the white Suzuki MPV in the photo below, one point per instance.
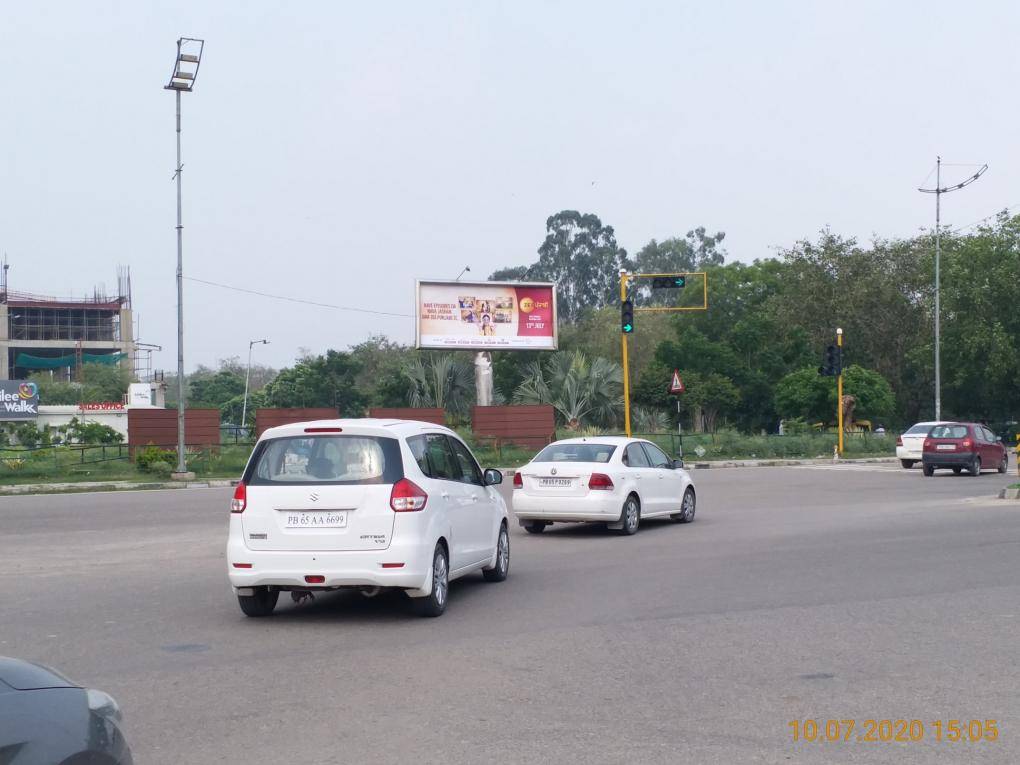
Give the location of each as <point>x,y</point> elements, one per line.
<point>344,461</point>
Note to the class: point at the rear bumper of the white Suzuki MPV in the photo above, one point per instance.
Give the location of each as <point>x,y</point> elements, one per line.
<point>288,570</point>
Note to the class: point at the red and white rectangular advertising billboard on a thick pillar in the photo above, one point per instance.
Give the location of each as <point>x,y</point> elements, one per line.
<point>486,316</point>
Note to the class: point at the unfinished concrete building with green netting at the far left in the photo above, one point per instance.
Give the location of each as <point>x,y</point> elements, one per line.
<point>60,335</point>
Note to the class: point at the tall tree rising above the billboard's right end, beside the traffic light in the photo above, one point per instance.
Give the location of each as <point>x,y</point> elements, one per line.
<point>582,257</point>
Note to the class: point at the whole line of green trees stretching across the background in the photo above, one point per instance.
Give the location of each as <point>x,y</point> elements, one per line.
<point>749,362</point>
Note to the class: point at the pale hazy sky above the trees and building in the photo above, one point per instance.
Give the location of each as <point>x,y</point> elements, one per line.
<point>337,151</point>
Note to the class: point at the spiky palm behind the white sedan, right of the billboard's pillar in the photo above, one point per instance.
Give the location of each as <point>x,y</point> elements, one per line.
<point>583,392</point>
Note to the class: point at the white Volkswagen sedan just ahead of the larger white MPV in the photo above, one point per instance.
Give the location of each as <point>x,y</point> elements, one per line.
<point>613,481</point>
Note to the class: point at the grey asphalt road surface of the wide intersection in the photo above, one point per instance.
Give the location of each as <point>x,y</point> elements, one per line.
<point>854,592</point>
